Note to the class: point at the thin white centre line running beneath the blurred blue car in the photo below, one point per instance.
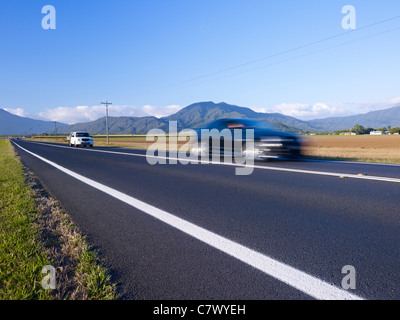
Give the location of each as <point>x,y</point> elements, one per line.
<point>313,172</point>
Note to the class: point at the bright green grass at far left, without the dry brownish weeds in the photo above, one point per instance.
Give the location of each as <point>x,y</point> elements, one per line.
<point>21,257</point>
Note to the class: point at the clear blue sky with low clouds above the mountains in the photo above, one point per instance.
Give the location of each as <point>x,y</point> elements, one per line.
<point>157,56</point>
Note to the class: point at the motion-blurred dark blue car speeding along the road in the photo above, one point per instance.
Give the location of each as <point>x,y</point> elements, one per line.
<point>269,142</point>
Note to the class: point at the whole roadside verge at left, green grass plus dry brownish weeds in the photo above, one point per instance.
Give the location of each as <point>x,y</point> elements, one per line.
<point>35,232</point>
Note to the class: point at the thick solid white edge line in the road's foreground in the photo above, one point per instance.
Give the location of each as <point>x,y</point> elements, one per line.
<point>295,278</point>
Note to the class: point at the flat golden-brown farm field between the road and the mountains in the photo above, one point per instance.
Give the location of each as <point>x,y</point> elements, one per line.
<point>367,148</point>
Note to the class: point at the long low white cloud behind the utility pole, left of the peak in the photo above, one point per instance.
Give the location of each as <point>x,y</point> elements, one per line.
<point>78,114</point>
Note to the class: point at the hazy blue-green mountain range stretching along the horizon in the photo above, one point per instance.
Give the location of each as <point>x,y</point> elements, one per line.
<point>198,115</point>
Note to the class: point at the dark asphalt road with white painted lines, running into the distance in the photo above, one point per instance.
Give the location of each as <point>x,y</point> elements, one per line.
<point>312,217</point>
